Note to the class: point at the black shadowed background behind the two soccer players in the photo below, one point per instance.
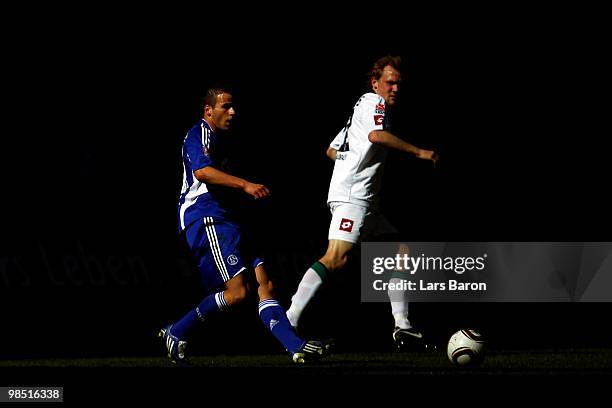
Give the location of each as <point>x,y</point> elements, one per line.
<point>97,109</point>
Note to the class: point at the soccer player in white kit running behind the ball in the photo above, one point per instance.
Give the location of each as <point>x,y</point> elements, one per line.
<point>359,152</point>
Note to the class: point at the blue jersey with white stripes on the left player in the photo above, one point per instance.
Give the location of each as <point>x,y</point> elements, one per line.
<point>196,200</point>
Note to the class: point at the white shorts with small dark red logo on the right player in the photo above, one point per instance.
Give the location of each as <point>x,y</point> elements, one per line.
<point>353,223</point>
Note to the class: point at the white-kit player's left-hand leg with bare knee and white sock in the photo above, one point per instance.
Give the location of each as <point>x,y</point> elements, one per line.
<point>334,259</point>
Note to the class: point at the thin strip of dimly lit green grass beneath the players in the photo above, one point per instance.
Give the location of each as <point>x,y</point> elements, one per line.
<point>495,362</point>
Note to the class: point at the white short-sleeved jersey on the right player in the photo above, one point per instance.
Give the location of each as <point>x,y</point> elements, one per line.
<point>359,162</point>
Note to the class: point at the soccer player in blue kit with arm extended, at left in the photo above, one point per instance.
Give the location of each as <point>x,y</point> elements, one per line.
<point>214,239</point>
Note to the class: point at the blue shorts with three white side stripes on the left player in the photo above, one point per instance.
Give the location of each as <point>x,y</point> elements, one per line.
<point>215,244</point>
